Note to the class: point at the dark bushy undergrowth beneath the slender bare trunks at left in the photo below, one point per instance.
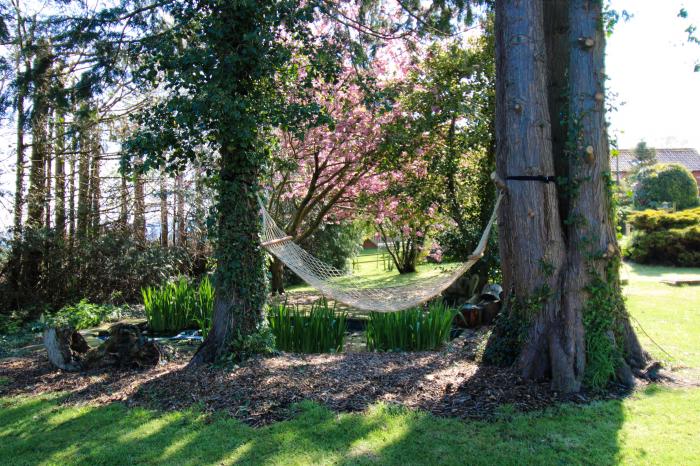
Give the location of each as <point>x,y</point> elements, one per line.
<point>94,269</point>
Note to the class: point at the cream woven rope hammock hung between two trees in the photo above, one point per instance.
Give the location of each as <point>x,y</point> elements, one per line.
<point>342,287</point>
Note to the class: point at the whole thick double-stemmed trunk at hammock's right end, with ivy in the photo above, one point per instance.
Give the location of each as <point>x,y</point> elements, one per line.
<point>565,318</point>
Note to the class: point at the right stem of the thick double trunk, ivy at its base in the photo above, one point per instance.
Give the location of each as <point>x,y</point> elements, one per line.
<point>592,285</point>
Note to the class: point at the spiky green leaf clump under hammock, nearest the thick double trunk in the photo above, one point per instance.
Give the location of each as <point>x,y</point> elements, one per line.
<point>410,330</point>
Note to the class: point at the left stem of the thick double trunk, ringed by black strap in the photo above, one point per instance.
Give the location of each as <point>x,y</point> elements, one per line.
<point>531,240</point>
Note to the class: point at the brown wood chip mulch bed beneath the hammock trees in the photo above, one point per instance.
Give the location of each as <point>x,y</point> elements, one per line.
<point>262,390</point>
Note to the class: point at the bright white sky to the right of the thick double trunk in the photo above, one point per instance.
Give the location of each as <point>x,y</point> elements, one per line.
<point>650,66</point>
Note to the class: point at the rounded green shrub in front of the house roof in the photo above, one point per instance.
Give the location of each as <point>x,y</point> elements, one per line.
<point>666,183</point>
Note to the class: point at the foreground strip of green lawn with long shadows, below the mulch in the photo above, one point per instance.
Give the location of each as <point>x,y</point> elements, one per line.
<point>658,426</point>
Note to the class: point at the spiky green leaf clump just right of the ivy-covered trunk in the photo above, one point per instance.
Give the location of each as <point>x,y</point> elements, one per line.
<point>321,330</point>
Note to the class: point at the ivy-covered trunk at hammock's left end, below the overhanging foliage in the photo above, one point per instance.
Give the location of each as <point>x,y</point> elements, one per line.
<point>240,277</point>
